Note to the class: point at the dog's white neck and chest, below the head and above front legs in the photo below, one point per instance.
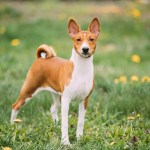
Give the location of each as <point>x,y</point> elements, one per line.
<point>82,78</point>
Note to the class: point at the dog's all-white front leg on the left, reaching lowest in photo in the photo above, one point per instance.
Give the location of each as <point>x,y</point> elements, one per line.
<point>65,102</point>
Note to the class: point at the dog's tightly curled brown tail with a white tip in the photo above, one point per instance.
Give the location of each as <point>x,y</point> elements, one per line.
<point>44,51</point>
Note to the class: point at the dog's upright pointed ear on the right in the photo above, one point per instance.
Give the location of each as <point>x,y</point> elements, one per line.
<point>95,27</point>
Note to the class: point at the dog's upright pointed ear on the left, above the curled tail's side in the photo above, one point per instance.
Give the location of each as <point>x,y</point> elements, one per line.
<point>73,28</point>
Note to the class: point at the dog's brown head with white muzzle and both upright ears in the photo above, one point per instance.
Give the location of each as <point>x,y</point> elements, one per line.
<point>84,41</point>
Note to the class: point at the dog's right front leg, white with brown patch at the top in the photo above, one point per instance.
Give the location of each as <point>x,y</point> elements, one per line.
<point>81,117</point>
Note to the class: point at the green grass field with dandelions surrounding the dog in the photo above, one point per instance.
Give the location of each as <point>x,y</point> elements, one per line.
<point>118,115</point>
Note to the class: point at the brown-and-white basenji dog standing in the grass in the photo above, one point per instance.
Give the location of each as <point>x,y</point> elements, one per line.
<point>65,79</point>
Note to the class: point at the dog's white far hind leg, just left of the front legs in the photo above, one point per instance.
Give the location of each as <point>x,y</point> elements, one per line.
<point>55,106</point>
